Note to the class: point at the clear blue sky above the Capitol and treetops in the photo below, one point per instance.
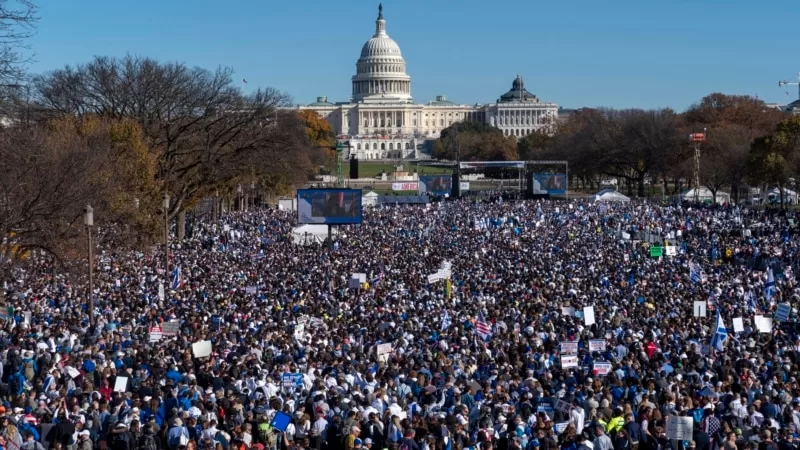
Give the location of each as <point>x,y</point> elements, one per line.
<point>620,53</point>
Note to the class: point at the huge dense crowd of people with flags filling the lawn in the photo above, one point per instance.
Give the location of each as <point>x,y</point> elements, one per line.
<point>459,325</point>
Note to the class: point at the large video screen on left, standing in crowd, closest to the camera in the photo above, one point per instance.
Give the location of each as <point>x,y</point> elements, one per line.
<point>329,206</point>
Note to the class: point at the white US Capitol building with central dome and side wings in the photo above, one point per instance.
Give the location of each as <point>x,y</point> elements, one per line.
<point>381,121</point>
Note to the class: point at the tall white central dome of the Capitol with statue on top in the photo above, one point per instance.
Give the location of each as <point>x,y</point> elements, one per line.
<point>381,70</point>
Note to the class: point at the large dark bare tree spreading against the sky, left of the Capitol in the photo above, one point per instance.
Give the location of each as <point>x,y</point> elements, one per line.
<point>205,132</point>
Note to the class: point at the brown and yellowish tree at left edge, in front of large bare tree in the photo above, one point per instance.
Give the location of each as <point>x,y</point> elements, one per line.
<point>49,172</point>
